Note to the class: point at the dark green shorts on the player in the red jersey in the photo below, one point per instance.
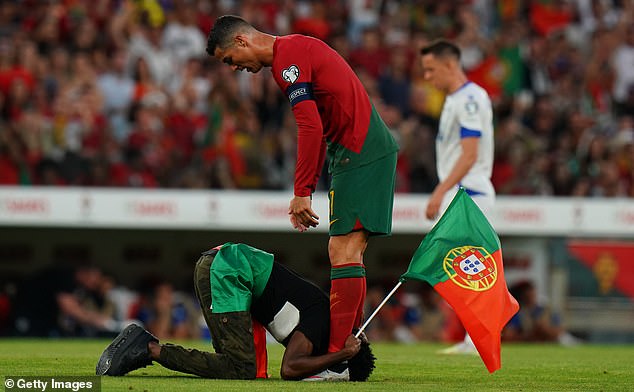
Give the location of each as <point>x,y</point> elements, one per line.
<point>363,197</point>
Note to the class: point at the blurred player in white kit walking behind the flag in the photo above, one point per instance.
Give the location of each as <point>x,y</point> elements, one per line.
<point>464,144</point>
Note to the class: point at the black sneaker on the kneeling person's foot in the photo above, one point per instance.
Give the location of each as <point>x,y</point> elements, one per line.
<point>127,352</point>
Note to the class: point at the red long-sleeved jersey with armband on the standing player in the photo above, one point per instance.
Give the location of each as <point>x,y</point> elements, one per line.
<point>329,103</point>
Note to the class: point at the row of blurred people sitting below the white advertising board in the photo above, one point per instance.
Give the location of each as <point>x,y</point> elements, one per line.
<point>62,300</point>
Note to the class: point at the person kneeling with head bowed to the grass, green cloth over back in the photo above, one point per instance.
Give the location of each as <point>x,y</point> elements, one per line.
<point>241,289</point>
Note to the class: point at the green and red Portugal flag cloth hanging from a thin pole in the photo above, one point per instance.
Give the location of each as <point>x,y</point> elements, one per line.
<point>461,258</point>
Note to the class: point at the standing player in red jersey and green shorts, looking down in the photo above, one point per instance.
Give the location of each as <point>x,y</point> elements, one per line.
<point>334,116</point>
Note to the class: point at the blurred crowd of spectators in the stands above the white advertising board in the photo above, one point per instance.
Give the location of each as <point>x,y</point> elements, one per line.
<point>121,92</point>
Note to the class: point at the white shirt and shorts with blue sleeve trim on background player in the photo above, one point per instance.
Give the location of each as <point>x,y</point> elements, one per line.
<point>467,112</point>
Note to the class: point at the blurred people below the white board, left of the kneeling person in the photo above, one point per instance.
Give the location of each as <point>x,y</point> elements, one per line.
<point>62,300</point>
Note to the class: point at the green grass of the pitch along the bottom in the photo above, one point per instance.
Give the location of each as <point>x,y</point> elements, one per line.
<point>399,368</point>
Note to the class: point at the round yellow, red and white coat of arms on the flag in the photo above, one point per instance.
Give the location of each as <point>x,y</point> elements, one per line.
<point>471,267</point>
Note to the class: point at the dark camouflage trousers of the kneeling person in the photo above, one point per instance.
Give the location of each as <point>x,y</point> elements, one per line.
<point>231,335</point>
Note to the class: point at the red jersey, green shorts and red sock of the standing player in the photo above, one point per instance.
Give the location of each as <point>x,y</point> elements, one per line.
<point>334,116</point>
